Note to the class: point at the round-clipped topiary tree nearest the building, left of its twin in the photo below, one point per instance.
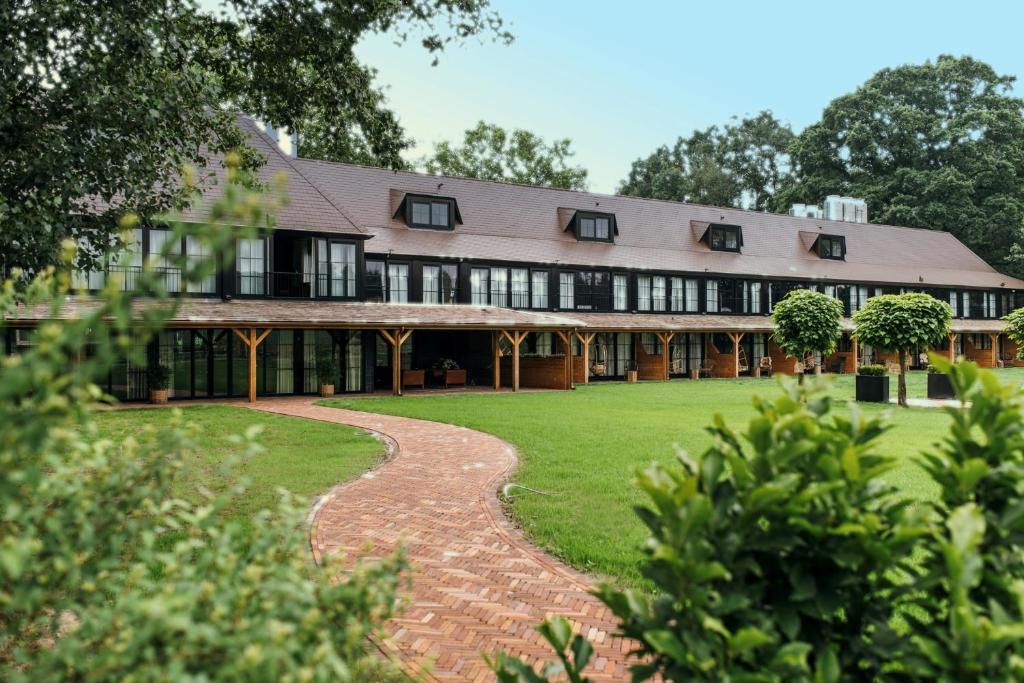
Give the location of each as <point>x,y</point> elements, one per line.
<point>806,323</point>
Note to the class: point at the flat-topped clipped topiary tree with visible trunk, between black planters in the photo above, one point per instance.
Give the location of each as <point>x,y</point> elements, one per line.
<point>900,323</point>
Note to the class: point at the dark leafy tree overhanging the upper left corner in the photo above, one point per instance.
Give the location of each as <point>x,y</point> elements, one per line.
<point>103,104</point>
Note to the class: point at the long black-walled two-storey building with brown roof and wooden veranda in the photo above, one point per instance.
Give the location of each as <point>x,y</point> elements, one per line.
<point>400,275</point>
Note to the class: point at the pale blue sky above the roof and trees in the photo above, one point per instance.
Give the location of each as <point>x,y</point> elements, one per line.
<point>623,78</point>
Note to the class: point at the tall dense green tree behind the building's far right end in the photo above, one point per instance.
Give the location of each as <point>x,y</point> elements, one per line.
<point>937,146</point>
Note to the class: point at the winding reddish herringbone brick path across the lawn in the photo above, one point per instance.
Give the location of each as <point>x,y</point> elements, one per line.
<point>478,585</point>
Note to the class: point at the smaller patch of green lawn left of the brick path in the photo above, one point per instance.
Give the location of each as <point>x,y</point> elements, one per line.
<point>304,456</point>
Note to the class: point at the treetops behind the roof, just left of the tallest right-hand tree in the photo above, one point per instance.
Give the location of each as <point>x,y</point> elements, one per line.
<point>741,165</point>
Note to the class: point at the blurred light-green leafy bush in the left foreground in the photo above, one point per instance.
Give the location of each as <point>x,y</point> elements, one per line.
<point>104,575</point>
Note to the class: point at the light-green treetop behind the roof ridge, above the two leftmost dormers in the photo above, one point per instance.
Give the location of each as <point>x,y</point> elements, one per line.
<point>491,153</point>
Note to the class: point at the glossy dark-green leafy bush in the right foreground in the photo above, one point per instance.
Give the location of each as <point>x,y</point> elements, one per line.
<point>783,554</point>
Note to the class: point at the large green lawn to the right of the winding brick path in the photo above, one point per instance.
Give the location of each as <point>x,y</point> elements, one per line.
<point>584,448</point>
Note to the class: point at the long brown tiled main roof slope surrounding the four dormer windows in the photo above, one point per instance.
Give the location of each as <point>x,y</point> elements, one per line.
<point>514,223</point>
